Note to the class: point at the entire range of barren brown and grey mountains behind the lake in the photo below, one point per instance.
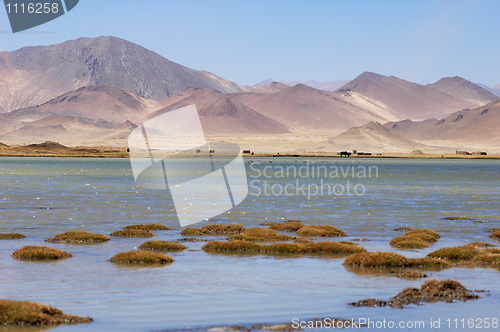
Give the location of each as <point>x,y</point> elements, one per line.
<point>102,88</point>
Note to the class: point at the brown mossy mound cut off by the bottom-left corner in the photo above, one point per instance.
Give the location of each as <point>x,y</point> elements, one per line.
<point>30,313</point>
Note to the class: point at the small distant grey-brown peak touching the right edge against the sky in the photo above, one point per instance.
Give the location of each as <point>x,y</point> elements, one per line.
<point>465,90</point>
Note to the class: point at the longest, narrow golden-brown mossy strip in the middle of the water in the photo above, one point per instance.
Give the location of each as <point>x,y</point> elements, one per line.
<point>282,248</point>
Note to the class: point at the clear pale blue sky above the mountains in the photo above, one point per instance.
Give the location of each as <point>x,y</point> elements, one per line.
<point>250,41</point>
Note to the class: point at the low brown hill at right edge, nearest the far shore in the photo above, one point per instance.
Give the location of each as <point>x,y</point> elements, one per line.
<point>478,125</point>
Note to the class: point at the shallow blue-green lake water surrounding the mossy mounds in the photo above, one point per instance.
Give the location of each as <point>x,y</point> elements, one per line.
<point>41,197</point>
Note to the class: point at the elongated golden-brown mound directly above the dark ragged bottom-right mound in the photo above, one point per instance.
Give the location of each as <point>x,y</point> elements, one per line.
<point>390,260</point>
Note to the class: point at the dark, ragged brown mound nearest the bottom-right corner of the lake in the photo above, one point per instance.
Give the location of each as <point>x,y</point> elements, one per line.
<point>433,291</point>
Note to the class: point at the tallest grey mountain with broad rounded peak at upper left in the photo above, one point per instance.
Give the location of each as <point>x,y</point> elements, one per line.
<point>34,75</point>
